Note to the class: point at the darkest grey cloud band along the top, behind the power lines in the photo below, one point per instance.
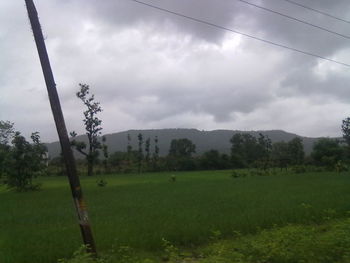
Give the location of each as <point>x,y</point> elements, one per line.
<point>232,14</point>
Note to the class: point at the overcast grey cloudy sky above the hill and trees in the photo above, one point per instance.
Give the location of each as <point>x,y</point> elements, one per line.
<point>151,69</point>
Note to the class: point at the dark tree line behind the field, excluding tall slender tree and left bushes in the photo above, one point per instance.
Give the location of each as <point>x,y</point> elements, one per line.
<point>247,151</point>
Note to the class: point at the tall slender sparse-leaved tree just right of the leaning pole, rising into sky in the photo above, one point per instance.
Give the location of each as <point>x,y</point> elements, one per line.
<point>92,126</point>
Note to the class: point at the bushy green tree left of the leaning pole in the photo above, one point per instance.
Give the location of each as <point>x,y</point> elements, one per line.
<point>26,161</point>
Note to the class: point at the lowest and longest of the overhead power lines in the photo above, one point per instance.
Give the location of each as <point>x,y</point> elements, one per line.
<point>240,33</point>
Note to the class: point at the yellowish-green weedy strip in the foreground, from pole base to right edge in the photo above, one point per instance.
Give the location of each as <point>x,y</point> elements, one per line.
<point>324,243</point>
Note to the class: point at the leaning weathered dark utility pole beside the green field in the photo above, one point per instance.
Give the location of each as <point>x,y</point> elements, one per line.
<point>61,129</point>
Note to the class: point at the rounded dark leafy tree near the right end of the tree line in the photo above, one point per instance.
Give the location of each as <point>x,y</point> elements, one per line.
<point>327,152</point>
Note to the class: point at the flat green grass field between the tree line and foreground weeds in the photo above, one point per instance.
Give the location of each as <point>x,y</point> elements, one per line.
<point>140,210</point>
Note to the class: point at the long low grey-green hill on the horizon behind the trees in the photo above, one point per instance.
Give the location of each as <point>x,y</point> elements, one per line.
<point>204,140</point>
